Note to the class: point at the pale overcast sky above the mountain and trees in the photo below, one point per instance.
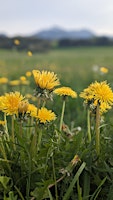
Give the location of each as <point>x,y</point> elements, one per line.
<point>29,16</point>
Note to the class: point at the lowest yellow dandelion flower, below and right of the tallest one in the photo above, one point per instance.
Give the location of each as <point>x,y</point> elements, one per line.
<point>45,115</point>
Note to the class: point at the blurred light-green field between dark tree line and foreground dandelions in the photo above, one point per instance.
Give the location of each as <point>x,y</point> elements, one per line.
<point>74,66</point>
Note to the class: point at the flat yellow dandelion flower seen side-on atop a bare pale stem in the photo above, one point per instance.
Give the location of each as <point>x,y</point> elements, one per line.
<point>65,91</point>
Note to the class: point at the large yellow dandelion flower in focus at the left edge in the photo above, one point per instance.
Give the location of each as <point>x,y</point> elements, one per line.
<point>10,102</point>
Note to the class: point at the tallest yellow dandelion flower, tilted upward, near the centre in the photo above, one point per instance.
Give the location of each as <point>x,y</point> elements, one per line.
<point>45,79</point>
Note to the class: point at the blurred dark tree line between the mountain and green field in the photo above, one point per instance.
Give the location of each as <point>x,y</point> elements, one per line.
<point>40,45</point>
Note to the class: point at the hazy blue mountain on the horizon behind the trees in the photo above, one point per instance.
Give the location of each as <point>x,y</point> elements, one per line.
<point>56,33</point>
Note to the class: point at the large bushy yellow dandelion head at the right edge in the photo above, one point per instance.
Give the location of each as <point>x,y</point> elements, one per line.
<point>98,93</point>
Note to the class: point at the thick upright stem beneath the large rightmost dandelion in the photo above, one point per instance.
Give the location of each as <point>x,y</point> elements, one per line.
<point>97,129</point>
